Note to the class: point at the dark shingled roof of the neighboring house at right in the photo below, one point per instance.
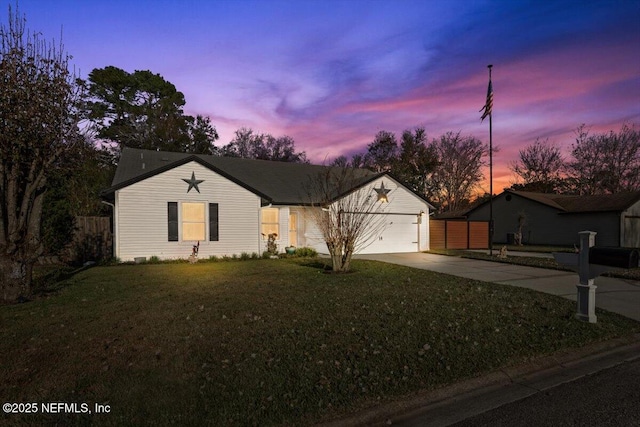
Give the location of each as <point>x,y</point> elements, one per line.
<point>576,204</point>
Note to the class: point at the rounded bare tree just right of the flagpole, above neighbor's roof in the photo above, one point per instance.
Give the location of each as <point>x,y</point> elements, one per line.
<point>540,166</point>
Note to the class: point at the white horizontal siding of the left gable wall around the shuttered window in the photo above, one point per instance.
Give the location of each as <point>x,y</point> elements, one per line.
<point>141,215</point>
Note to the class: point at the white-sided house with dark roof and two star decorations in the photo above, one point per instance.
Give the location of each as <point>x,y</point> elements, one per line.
<point>163,203</point>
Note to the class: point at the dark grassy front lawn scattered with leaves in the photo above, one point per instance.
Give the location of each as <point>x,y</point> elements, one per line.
<point>268,342</point>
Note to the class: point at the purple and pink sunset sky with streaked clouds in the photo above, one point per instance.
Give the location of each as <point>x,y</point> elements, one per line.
<point>331,74</point>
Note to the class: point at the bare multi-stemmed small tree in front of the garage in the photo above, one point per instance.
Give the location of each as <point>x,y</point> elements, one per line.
<point>347,215</point>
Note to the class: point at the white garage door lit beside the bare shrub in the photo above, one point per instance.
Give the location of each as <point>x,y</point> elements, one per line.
<point>400,235</point>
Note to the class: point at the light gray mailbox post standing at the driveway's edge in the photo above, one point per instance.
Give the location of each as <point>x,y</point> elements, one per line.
<point>586,288</point>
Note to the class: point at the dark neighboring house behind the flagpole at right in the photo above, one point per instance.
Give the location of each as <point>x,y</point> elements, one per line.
<point>553,219</point>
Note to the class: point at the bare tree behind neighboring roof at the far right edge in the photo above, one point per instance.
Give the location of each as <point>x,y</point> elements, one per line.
<point>606,163</point>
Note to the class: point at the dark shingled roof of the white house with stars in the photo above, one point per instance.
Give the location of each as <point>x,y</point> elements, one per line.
<point>277,182</point>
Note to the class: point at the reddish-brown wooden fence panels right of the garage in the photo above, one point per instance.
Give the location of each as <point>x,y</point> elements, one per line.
<point>458,234</point>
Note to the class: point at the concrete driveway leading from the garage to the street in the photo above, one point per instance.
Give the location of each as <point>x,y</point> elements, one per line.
<point>617,295</point>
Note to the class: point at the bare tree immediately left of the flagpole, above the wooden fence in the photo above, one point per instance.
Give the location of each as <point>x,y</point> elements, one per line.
<point>459,170</point>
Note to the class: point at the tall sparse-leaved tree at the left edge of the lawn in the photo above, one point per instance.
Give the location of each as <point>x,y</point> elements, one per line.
<point>38,125</point>
